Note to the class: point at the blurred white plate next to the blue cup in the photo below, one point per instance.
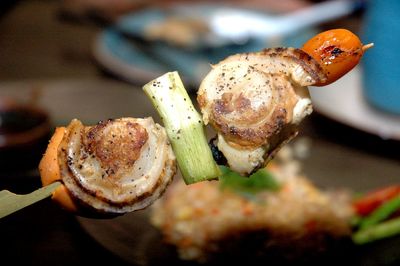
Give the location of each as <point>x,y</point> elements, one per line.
<point>344,102</point>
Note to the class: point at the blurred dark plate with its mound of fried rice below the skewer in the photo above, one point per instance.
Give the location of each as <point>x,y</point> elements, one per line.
<point>299,224</point>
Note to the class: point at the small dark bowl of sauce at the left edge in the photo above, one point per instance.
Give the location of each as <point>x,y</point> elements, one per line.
<point>24,134</point>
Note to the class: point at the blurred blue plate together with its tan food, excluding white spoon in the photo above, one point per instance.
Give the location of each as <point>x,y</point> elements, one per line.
<point>145,44</point>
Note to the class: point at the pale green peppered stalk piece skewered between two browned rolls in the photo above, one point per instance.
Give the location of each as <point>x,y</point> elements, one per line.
<point>184,126</point>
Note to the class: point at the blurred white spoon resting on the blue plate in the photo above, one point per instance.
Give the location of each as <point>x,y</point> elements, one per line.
<point>229,25</point>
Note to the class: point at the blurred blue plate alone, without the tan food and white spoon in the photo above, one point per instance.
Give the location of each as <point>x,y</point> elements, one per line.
<point>139,61</point>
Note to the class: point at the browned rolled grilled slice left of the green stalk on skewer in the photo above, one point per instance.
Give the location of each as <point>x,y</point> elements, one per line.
<point>116,166</point>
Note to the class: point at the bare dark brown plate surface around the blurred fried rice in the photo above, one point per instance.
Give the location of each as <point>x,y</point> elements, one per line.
<point>134,239</point>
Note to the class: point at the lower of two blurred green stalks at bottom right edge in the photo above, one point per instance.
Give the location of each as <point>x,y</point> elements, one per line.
<point>378,231</point>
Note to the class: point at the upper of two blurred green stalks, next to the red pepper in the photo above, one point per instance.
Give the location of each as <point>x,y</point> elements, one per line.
<point>381,213</point>
